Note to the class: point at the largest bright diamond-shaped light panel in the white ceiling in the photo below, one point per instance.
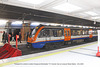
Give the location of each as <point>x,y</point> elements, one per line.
<point>67,7</point>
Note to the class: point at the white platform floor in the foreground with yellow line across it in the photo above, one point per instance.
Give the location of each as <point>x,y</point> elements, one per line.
<point>77,56</point>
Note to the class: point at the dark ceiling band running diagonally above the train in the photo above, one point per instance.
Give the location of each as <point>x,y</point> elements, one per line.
<point>19,12</point>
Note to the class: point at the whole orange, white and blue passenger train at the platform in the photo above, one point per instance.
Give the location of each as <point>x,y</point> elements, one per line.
<point>50,36</point>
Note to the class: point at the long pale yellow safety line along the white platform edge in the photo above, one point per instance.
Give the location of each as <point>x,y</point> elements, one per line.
<point>23,60</point>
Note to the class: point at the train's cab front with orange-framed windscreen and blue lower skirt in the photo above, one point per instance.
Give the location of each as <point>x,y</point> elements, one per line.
<point>32,37</point>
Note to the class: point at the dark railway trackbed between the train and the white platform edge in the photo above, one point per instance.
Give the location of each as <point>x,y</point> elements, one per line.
<point>26,51</point>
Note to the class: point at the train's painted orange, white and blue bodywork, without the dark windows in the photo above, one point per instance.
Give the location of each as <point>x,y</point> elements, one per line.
<point>40,42</point>
